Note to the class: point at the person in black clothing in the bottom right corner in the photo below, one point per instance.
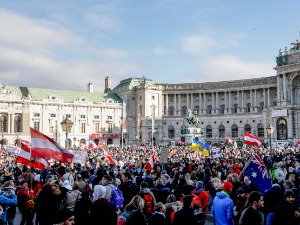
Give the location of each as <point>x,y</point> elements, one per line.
<point>287,212</point>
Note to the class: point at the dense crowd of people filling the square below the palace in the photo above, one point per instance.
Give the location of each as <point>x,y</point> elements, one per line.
<point>185,190</point>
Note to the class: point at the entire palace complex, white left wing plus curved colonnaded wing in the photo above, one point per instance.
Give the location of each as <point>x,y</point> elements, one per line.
<point>139,110</point>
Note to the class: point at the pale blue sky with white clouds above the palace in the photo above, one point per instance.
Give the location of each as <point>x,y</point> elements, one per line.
<point>67,44</point>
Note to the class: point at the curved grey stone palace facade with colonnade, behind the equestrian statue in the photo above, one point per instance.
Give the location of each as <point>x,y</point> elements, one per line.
<point>156,111</point>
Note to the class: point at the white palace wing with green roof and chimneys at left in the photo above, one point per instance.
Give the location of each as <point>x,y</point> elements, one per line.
<point>94,115</point>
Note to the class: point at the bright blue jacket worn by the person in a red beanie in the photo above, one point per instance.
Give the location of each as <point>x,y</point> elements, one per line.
<point>222,209</point>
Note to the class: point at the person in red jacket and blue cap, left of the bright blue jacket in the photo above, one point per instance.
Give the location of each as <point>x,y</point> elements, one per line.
<point>201,199</point>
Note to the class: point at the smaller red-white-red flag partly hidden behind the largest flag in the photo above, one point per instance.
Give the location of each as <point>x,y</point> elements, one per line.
<point>25,158</point>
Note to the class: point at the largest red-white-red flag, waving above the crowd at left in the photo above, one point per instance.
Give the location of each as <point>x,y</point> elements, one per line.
<point>43,146</point>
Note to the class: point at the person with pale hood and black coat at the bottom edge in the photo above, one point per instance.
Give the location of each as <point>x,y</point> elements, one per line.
<point>101,209</point>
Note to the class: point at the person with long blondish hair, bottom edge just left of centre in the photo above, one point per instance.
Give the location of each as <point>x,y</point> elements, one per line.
<point>133,213</point>
